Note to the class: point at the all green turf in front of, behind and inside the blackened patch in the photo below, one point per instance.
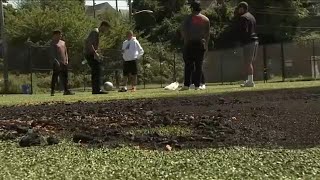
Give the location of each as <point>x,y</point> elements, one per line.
<point>71,161</point>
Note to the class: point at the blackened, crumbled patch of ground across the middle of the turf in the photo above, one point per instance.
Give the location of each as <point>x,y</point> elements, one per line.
<point>287,118</point>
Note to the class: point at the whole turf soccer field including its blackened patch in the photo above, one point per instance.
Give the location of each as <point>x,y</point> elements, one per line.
<point>225,132</point>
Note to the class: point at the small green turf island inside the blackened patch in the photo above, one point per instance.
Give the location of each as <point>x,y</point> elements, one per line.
<point>164,131</point>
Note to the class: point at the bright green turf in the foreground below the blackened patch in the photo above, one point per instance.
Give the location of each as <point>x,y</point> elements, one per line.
<point>69,161</point>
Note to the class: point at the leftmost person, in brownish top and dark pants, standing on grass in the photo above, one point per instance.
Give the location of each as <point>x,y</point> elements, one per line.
<point>59,56</point>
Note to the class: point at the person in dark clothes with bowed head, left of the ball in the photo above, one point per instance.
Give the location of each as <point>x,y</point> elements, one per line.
<point>93,58</point>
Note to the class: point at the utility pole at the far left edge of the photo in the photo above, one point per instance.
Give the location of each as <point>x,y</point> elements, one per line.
<point>4,50</point>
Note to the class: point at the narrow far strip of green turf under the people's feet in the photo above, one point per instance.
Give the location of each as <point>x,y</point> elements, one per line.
<point>146,93</point>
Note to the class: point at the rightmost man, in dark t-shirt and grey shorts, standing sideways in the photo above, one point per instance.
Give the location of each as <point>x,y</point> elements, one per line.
<point>249,40</point>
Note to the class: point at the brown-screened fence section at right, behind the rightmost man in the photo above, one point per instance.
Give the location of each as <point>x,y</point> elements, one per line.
<point>288,61</point>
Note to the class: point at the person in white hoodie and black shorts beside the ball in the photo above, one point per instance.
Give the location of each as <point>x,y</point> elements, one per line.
<point>132,51</point>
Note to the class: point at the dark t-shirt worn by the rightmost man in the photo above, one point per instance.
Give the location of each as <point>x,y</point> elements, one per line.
<point>247,28</point>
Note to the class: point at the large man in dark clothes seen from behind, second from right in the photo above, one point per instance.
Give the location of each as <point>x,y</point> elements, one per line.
<point>195,32</point>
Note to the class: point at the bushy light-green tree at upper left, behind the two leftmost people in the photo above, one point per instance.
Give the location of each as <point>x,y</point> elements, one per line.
<point>31,22</point>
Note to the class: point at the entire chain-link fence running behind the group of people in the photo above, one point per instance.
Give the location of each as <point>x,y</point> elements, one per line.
<point>30,66</point>
